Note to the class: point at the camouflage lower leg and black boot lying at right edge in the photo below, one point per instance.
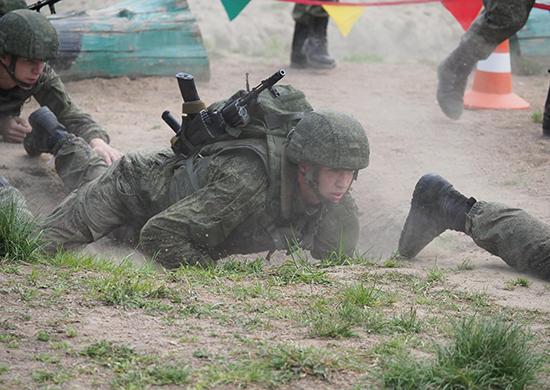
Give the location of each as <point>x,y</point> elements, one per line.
<point>517,237</point>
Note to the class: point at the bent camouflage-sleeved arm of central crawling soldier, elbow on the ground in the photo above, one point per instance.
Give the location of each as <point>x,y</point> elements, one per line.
<point>189,230</point>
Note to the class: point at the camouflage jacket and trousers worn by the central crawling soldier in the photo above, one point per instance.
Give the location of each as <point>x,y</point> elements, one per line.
<point>222,218</point>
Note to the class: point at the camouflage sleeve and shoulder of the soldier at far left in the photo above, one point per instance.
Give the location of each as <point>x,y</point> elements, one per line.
<point>50,91</point>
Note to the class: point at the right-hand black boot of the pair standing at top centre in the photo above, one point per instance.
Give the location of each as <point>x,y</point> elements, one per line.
<point>316,46</point>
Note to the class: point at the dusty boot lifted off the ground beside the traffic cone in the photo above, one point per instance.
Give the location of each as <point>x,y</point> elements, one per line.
<point>453,74</point>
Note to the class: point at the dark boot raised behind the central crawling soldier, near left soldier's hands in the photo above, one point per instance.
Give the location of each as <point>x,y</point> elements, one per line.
<point>46,132</point>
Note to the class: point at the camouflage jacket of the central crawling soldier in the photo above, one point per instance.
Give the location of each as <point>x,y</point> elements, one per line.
<point>226,216</point>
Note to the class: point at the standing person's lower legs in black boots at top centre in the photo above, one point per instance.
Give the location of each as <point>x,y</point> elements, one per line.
<point>309,42</point>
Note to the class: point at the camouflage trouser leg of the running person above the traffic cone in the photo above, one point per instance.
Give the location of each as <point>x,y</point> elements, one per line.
<point>499,20</point>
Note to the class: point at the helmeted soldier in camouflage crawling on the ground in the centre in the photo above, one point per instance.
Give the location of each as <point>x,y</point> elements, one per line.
<point>150,189</point>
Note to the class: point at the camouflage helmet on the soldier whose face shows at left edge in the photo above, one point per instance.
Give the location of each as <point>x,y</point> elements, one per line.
<point>28,34</point>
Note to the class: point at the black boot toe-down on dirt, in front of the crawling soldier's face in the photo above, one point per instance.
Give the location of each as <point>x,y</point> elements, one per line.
<point>435,207</point>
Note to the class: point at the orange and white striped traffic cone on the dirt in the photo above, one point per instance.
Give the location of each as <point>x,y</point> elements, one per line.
<point>492,88</point>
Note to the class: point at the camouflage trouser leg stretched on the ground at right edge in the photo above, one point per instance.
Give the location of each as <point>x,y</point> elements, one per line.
<point>517,237</point>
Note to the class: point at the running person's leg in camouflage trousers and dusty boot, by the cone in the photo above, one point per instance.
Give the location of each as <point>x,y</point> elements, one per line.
<point>499,20</point>
